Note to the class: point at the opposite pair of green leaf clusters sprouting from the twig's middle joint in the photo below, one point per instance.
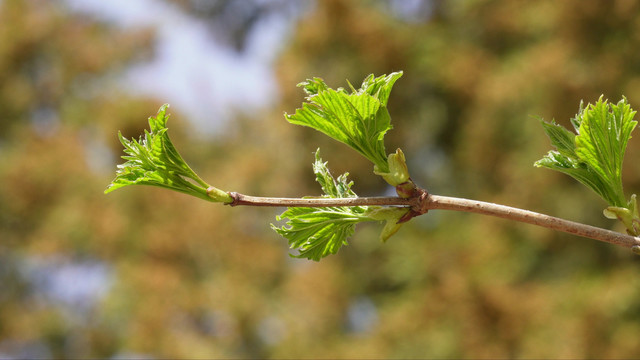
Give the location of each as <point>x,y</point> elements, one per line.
<point>359,119</point>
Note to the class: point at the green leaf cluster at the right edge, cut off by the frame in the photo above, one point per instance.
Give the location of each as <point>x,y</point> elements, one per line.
<point>593,155</point>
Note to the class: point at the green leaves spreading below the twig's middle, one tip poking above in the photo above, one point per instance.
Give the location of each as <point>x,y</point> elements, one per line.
<point>318,232</point>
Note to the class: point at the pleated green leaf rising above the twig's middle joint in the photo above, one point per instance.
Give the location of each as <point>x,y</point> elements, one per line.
<point>359,119</point>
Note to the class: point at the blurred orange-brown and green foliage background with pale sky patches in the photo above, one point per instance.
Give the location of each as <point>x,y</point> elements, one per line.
<point>144,272</point>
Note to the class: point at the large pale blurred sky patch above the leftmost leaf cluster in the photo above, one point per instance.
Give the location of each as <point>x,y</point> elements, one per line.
<point>196,68</point>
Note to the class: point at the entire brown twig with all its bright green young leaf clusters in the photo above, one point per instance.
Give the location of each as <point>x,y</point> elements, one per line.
<point>592,155</point>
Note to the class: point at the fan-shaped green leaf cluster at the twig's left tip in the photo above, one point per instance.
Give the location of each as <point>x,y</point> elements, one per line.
<point>154,161</point>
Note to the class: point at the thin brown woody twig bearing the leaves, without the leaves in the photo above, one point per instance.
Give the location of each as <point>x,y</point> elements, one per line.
<point>426,202</point>
